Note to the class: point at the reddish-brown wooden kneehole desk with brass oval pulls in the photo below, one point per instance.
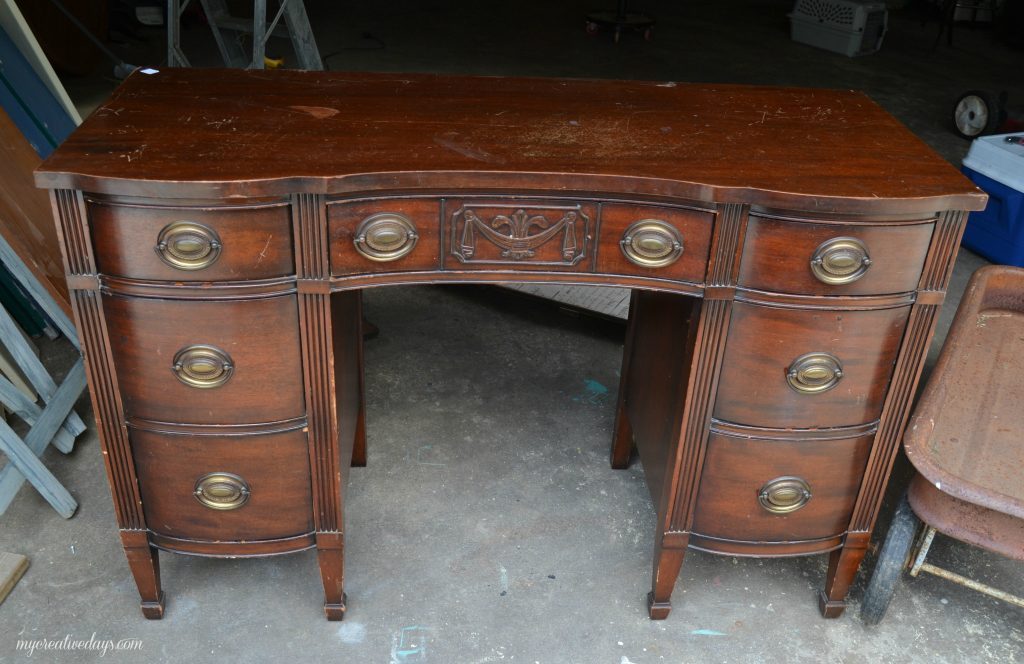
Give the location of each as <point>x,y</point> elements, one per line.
<point>789,252</point>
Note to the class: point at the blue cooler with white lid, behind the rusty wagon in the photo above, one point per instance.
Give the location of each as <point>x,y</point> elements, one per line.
<point>998,232</point>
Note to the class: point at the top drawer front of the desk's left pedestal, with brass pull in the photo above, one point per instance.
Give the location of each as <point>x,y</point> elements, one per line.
<point>193,243</point>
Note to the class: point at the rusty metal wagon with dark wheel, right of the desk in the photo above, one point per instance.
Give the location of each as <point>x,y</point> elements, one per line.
<point>967,443</point>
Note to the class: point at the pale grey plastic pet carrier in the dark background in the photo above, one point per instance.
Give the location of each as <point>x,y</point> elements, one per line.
<point>846,27</point>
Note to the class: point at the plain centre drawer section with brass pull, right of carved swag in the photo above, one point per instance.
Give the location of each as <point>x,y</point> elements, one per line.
<point>655,241</point>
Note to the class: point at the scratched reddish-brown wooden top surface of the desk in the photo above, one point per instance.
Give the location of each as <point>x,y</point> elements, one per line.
<point>229,133</point>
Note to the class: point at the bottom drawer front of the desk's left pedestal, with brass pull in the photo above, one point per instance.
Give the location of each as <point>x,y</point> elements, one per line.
<point>225,488</point>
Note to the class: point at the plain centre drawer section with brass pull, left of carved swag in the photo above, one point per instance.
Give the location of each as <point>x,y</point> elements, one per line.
<point>390,235</point>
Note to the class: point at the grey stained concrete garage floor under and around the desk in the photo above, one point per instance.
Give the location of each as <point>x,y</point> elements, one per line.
<point>489,526</point>
